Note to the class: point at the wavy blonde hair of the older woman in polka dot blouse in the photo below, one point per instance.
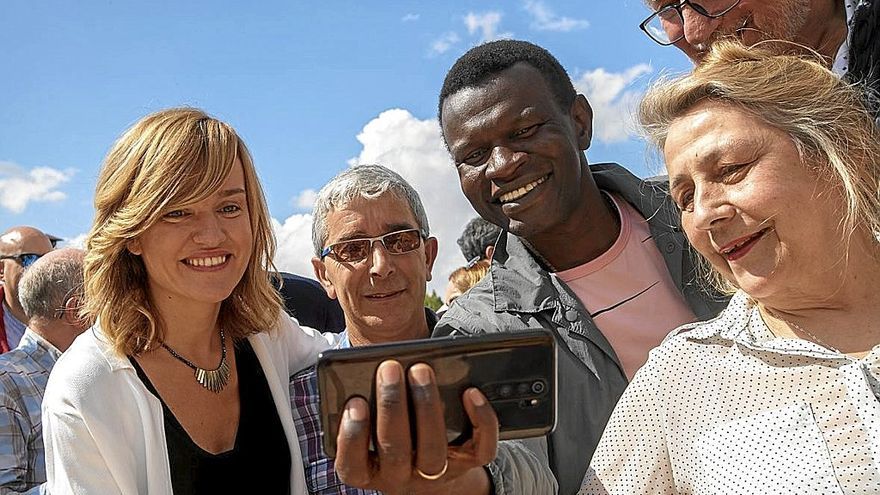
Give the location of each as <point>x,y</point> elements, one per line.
<point>827,119</point>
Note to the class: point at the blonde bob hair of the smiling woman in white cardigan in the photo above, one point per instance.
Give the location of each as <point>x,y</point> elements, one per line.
<point>167,160</point>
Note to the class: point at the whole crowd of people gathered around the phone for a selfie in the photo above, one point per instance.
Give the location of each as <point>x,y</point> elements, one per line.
<point>716,326</point>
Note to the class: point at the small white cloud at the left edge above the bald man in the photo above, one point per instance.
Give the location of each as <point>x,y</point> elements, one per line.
<point>19,187</point>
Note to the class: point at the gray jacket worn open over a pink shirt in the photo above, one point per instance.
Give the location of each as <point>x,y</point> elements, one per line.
<point>519,294</point>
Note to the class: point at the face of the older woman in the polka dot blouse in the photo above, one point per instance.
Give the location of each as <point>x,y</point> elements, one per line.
<point>750,204</point>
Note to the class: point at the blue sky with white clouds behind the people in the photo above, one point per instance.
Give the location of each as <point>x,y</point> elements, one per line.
<point>311,86</point>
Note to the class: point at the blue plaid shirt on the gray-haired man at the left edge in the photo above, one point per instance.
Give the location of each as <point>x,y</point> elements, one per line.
<point>24,372</point>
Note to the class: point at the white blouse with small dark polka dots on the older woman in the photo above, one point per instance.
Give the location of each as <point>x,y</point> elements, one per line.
<point>725,407</point>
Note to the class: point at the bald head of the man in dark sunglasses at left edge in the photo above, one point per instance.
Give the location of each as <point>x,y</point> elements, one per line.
<point>14,243</point>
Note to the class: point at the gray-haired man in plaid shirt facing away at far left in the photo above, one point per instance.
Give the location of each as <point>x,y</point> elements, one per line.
<point>50,292</point>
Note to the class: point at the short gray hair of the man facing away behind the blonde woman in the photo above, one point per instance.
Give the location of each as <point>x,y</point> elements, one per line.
<point>47,284</point>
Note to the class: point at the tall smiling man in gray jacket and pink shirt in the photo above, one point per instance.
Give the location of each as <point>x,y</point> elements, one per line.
<point>592,253</point>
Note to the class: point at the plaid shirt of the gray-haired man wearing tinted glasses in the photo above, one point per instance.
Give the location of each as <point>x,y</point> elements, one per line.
<point>320,474</point>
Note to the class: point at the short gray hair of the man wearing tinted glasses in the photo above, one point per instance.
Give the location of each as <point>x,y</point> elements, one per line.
<point>362,181</point>
